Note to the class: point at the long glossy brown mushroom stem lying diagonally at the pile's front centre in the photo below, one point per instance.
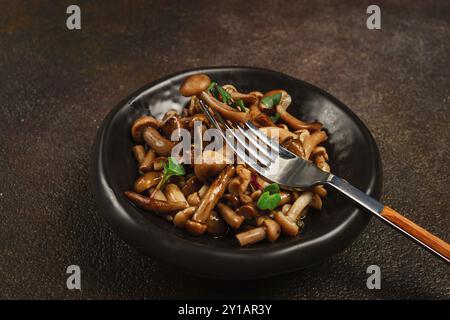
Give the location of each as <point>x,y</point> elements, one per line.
<point>213,195</point>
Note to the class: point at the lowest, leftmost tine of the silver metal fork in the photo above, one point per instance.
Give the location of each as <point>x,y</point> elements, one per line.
<point>238,151</point>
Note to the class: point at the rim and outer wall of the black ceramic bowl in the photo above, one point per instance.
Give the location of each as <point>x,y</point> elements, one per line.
<point>191,255</point>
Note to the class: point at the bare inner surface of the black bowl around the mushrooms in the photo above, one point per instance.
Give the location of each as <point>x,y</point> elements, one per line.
<point>352,151</point>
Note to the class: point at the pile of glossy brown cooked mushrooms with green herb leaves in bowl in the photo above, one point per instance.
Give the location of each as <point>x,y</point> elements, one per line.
<point>216,197</point>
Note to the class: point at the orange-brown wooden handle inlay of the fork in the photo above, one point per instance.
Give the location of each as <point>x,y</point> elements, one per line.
<point>417,231</point>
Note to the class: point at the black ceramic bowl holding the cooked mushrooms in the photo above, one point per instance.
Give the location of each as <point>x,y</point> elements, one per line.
<point>353,156</point>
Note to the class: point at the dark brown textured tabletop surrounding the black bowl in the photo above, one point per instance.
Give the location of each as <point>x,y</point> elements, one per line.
<point>57,85</point>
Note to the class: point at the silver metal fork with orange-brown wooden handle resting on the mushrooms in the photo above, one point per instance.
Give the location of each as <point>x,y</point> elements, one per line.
<point>279,165</point>
